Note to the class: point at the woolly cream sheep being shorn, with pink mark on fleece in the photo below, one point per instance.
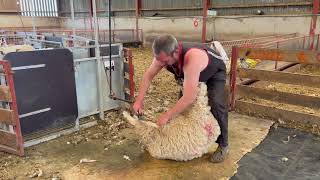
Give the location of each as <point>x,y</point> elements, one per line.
<point>185,137</point>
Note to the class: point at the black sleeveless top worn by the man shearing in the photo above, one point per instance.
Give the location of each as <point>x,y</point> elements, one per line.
<point>215,70</point>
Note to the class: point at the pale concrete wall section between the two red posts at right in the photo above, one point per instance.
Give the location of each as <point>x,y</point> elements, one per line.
<point>235,28</point>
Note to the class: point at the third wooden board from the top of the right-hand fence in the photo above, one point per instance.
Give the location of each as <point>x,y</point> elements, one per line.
<point>283,97</point>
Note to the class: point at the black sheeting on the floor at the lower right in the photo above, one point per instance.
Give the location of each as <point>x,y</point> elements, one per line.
<point>268,160</point>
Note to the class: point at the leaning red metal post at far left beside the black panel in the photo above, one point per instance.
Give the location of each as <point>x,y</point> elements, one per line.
<point>13,105</point>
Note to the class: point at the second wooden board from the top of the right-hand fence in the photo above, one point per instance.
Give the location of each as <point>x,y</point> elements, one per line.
<point>281,77</point>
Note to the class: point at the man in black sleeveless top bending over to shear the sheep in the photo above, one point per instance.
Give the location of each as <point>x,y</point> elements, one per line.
<point>192,63</point>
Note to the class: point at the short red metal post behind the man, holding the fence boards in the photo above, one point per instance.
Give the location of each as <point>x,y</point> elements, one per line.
<point>233,76</point>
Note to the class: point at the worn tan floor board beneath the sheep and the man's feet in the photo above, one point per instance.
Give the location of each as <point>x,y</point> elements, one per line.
<point>245,134</point>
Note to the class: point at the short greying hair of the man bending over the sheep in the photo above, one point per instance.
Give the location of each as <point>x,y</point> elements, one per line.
<point>166,43</point>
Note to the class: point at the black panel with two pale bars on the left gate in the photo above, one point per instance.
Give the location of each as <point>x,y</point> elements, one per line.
<point>50,87</point>
